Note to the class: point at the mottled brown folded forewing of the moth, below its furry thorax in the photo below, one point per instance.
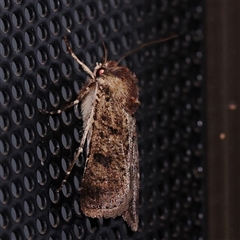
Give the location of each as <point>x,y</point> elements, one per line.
<point>108,179</point>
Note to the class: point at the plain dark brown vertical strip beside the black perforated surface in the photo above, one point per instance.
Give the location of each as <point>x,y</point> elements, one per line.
<point>223,113</point>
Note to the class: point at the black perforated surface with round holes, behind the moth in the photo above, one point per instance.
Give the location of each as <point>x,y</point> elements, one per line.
<point>35,149</point>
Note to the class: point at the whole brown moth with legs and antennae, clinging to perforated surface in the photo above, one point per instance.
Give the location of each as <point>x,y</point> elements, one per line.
<point>109,99</point>
